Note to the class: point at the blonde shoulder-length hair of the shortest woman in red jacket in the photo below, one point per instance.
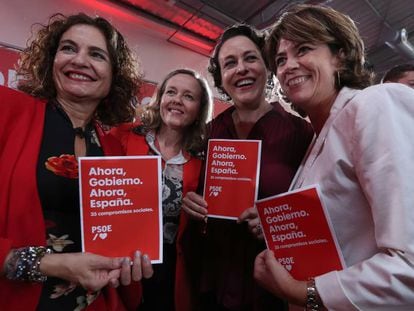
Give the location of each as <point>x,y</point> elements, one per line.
<point>195,134</point>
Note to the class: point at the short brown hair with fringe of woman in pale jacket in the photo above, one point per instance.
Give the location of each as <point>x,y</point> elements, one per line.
<point>323,25</point>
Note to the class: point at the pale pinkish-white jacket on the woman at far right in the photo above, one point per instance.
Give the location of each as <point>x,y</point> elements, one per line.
<point>363,160</point>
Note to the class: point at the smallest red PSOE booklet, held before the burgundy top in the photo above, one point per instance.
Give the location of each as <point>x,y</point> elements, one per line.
<point>232,174</point>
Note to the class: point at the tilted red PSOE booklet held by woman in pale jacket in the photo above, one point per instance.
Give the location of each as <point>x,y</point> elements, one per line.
<point>298,230</point>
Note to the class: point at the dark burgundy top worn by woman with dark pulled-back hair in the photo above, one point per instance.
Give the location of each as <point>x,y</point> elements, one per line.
<point>229,249</point>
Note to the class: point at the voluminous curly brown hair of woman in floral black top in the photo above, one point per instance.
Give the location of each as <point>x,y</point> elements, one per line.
<point>36,66</point>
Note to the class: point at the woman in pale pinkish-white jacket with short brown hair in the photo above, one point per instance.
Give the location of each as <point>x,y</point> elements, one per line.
<point>362,158</point>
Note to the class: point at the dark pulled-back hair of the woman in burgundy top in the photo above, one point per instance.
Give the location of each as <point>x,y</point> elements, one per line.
<point>236,30</point>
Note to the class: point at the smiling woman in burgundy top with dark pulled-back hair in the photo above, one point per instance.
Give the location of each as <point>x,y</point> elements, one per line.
<point>228,249</point>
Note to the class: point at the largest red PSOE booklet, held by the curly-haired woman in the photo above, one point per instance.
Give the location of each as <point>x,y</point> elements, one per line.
<point>121,205</point>
